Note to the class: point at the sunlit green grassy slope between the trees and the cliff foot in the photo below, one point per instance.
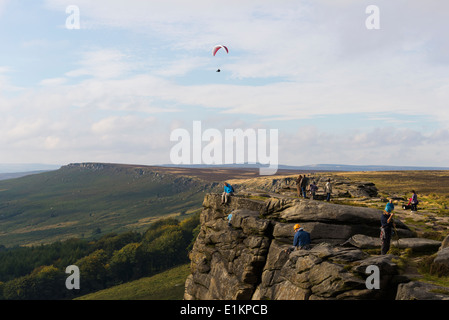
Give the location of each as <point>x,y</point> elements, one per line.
<point>168,285</point>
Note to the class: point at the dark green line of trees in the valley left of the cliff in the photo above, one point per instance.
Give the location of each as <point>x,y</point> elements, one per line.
<point>108,261</point>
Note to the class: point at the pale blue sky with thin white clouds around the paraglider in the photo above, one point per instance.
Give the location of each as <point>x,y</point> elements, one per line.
<point>114,89</point>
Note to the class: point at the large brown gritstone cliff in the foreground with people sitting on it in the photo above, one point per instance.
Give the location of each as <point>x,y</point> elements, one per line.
<point>248,260</point>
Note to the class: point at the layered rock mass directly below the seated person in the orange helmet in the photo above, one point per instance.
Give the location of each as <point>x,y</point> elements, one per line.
<point>324,272</point>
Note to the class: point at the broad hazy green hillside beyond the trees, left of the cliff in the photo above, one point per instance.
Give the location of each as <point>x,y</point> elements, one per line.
<point>81,200</point>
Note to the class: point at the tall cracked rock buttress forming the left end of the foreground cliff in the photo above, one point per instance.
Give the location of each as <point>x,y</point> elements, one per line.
<point>226,262</point>
